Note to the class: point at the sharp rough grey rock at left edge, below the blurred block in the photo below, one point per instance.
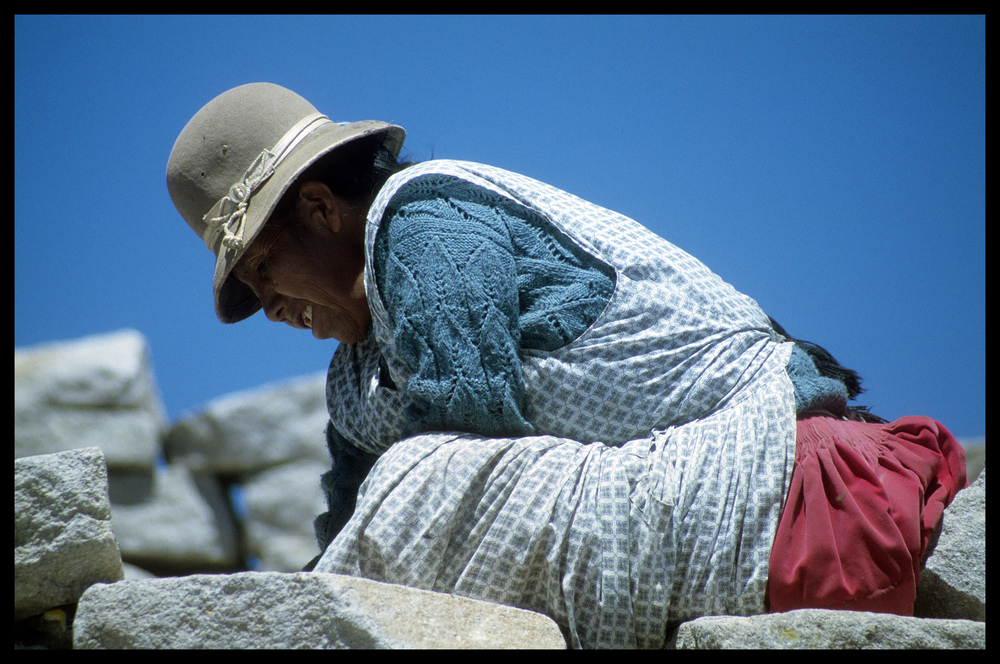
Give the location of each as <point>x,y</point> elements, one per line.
<point>63,539</point>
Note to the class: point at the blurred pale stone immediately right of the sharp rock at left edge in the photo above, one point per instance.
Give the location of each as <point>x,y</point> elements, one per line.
<point>183,524</point>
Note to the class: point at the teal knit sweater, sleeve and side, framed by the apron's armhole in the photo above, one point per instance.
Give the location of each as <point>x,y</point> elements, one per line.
<point>468,280</point>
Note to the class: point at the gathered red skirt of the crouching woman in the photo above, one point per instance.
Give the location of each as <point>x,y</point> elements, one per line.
<point>864,501</point>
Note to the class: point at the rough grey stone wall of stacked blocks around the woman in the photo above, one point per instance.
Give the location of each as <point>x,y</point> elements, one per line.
<point>129,533</point>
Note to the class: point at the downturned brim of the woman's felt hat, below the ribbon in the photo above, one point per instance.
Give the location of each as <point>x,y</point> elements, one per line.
<point>235,301</point>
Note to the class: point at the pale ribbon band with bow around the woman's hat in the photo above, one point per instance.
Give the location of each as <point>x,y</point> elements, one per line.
<point>228,215</point>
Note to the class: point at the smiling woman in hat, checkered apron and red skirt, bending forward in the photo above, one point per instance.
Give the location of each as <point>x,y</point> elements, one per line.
<point>537,401</point>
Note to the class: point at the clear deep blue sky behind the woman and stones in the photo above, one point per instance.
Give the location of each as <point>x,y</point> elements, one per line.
<point>833,168</point>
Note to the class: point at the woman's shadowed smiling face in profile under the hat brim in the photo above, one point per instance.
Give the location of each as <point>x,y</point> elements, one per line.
<point>310,276</point>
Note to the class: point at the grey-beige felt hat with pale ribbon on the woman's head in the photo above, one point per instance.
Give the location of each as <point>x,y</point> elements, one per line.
<point>234,161</point>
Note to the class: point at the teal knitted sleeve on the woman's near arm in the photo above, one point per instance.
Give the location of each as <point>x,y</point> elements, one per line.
<point>447,275</point>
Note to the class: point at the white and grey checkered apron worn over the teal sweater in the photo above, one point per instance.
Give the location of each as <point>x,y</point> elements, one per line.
<point>654,494</point>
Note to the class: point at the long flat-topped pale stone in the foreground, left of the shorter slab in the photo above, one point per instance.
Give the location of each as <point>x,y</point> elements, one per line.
<point>302,610</point>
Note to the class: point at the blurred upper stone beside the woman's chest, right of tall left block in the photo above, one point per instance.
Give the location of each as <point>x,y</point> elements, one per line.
<point>251,431</point>
